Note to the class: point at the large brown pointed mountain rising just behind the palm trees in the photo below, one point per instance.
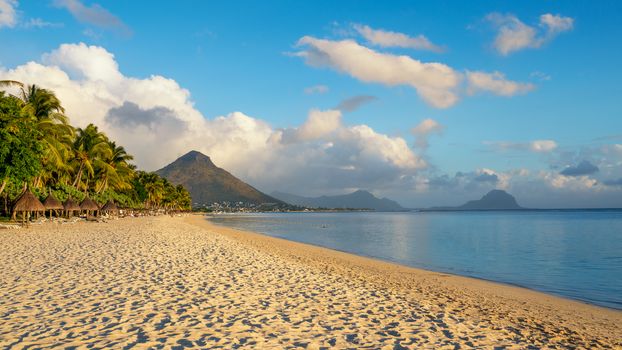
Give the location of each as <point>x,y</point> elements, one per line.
<point>208,183</point>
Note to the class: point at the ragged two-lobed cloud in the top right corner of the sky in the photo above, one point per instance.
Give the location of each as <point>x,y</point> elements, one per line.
<point>514,35</point>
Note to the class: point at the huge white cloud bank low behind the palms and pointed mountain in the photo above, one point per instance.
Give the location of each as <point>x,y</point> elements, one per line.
<point>155,119</point>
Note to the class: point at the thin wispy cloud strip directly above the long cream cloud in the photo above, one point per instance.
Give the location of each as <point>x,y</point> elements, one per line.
<point>384,38</point>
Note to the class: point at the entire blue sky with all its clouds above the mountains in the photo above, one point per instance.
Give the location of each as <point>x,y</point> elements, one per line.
<point>428,103</point>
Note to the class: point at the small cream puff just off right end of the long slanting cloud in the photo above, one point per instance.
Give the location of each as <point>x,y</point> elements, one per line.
<point>495,83</point>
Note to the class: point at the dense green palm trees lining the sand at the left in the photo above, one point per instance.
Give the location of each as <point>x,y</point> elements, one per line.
<point>43,157</point>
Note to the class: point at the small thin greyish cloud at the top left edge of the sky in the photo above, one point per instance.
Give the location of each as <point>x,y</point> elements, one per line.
<point>94,14</point>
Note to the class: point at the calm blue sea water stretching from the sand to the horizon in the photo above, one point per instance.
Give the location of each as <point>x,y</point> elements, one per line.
<point>575,254</point>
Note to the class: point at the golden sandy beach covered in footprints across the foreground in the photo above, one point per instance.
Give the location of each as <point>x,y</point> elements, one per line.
<point>182,282</point>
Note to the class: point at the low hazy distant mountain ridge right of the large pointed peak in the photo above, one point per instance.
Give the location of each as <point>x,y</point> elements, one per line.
<point>355,200</point>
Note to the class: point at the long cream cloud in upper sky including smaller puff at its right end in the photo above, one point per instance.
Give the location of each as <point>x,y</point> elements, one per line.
<point>438,84</point>
